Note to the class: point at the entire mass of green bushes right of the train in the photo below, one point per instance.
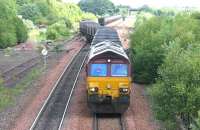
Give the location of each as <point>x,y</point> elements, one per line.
<point>166,53</point>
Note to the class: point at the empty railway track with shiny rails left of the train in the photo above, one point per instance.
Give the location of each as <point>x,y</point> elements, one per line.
<point>52,113</point>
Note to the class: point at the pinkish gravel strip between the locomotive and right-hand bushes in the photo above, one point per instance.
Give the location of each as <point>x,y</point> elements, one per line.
<point>139,115</point>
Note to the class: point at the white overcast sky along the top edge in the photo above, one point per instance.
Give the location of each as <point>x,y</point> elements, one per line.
<point>155,3</point>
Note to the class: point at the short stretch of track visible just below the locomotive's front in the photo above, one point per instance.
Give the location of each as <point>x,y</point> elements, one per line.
<point>108,122</point>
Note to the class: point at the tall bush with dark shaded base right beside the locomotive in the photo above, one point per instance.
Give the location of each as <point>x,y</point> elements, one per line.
<point>146,48</point>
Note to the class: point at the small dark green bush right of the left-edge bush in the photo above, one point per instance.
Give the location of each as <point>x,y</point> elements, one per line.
<point>21,31</point>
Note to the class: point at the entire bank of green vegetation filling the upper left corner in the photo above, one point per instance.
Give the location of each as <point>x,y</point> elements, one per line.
<point>41,16</point>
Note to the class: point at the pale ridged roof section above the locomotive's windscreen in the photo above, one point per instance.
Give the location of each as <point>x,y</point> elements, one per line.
<point>107,46</point>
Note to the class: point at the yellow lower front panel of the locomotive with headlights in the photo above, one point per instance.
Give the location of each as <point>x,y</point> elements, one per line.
<point>109,86</point>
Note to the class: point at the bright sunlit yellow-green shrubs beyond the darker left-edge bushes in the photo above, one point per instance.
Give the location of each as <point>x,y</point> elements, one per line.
<point>58,18</point>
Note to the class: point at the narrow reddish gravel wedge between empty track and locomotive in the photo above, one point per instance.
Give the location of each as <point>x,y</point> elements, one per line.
<point>78,116</point>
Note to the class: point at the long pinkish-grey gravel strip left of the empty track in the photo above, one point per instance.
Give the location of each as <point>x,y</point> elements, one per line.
<point>21,115</point>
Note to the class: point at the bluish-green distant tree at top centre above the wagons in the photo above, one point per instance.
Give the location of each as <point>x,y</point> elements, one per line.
<point>98,7</point>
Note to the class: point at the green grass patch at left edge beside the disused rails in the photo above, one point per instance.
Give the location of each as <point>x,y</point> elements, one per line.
<point>8,95</point>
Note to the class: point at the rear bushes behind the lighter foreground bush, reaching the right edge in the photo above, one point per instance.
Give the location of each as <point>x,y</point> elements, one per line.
<point>149,37</point>
